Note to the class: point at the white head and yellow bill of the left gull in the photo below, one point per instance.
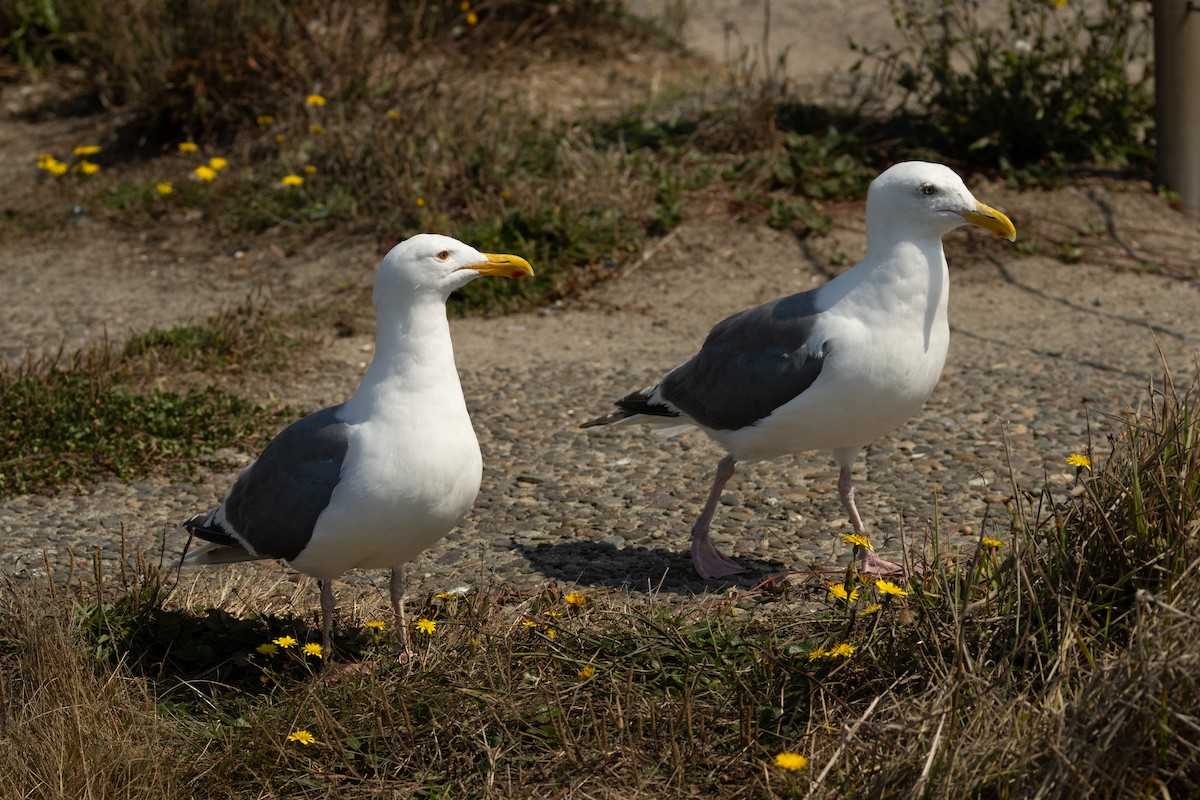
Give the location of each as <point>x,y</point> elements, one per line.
<point>436,266</point>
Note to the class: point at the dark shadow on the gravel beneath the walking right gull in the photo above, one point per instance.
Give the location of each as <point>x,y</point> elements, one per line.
<point>634,568</point>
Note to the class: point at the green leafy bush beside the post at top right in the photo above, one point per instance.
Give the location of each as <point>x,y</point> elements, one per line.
<point>1054,87</point>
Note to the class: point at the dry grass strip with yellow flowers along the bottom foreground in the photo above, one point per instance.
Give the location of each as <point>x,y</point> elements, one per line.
<point>1064,665</point>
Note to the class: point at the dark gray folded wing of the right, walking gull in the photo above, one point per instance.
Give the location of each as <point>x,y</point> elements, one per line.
<point>751,365</point>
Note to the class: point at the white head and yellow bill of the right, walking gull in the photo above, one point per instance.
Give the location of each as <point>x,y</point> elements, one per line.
<point>919,199</point>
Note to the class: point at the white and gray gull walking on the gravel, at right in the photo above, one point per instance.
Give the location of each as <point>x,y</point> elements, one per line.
<point>832,369</point>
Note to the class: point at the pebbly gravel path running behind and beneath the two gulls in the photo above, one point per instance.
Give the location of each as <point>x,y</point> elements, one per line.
<point>1037,346</point>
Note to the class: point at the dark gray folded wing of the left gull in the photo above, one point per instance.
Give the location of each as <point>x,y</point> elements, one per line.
<point>274,506</point>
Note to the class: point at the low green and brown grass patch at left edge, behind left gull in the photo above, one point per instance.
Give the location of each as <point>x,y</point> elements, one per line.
<point>95,414</point>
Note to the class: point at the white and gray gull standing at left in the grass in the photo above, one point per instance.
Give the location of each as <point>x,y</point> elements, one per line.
<point>376,480</point>
